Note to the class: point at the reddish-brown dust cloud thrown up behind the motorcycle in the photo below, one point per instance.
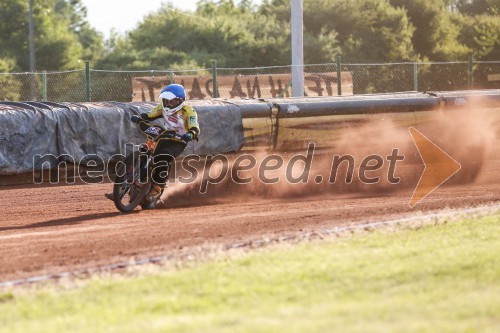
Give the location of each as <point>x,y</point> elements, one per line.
<point>373,158</point>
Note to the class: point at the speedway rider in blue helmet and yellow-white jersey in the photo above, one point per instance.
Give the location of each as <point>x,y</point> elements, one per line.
<point>176,116</point>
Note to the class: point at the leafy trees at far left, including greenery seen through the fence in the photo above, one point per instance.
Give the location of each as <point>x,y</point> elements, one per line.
<point>63,39</point>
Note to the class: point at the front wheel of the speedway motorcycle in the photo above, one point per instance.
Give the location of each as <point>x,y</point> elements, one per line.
<point>128,190</point>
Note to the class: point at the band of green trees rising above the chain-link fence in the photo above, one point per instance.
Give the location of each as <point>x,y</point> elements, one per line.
<point>241,34</point>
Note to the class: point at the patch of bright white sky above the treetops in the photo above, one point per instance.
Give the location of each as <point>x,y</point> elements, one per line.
<point>124,15</point>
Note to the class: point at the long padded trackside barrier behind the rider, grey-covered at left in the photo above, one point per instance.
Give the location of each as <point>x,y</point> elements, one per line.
<point>95,133</point>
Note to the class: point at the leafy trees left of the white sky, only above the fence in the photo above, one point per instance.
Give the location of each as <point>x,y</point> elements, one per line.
<point>62,35</point>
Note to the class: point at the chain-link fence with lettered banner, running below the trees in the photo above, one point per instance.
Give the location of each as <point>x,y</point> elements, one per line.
<point>259,82</point>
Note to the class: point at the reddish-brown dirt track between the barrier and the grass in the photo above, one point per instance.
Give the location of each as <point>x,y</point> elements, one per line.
<point>50,229</point>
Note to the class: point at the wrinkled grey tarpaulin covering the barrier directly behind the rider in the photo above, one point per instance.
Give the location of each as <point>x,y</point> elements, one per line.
<point>77,132</point>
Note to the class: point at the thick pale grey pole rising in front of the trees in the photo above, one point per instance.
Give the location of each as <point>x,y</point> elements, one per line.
<point>297,49</point>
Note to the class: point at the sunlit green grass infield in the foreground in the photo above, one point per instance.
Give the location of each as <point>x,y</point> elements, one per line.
<point>442,278</point>
